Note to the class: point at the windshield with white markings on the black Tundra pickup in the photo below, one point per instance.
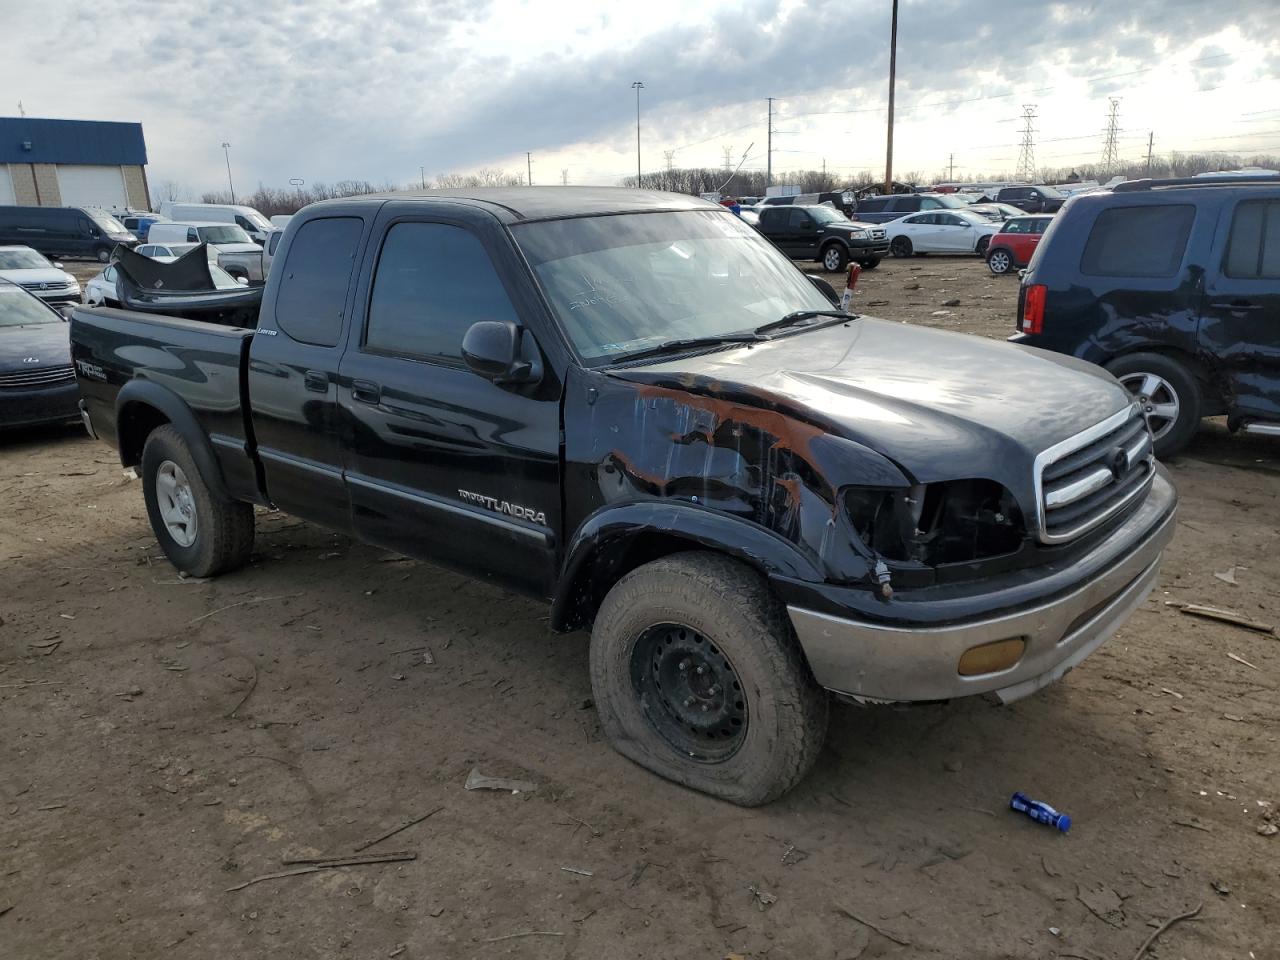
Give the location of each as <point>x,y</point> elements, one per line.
<point>621,285</point>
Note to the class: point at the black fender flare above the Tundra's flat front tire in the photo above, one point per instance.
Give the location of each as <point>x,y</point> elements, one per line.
<point>596,557</point>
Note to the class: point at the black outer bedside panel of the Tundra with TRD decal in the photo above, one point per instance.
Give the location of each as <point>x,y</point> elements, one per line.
<point>179,365</point>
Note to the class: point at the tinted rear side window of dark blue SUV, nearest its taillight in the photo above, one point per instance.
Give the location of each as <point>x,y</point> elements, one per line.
<point>1139,241</point>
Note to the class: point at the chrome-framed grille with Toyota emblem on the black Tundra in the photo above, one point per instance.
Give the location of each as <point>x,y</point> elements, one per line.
<point>1090,478</point>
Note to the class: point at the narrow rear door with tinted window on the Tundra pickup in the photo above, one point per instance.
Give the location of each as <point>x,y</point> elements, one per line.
<point>294,371</point>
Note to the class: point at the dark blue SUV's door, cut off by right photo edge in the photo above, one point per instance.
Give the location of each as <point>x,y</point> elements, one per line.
<point>1241,316</point>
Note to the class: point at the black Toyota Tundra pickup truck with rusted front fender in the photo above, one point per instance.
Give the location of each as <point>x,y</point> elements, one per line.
<point>632,405</point>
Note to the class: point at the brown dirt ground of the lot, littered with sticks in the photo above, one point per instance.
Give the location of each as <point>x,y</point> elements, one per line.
<point>167,740</point>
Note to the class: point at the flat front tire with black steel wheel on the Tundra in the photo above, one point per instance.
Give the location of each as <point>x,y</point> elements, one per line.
<point>698,678</point>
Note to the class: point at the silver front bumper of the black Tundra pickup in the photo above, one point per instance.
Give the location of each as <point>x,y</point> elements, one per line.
<point>879,662</point>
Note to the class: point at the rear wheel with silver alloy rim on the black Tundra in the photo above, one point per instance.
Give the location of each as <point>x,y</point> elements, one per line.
<point>199,532</point>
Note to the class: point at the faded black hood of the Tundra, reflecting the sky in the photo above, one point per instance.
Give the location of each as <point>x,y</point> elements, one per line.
<point>939,405</point>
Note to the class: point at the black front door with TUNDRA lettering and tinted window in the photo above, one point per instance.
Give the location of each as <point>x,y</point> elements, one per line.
<point>444,464</point>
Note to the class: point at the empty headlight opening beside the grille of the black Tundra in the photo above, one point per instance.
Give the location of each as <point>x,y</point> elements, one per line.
<point>957,522</point>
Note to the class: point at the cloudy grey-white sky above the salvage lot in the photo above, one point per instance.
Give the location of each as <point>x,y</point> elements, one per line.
<point>385,90</point>
